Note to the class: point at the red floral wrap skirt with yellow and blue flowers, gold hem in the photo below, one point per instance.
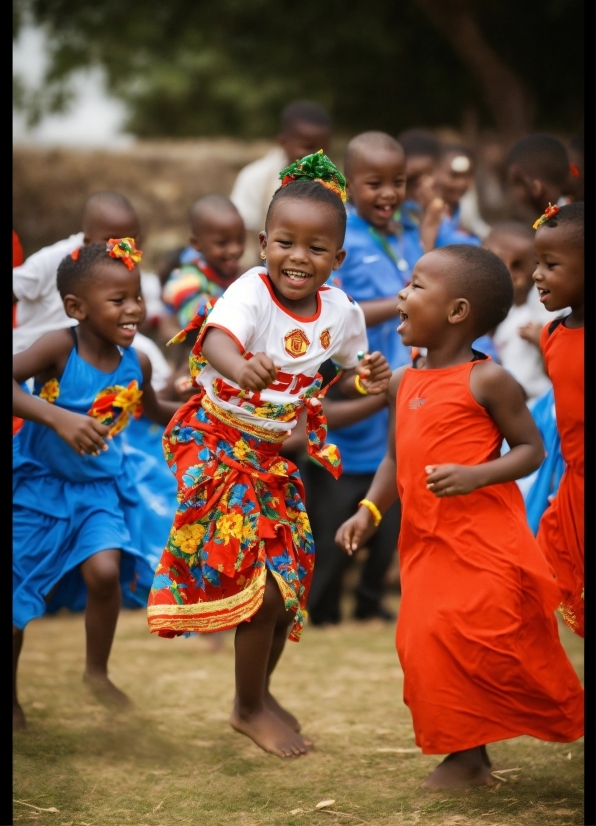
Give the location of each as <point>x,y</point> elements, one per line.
<point>240,514</point>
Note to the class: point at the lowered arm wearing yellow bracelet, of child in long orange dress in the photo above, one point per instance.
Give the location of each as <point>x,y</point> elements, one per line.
<point>383,491</point>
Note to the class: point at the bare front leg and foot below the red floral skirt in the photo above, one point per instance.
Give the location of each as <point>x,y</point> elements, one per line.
<point>253,644</point>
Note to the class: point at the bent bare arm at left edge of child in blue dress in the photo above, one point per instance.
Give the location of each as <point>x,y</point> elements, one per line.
<point>48,357</point>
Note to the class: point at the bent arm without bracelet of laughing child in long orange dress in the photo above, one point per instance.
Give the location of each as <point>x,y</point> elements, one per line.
<point>499,393</point>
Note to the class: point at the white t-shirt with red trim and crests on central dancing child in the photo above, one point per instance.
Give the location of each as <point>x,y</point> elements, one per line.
<point>251,314</point>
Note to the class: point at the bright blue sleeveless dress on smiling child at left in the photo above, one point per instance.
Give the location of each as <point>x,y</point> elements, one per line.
<point>68,507</point>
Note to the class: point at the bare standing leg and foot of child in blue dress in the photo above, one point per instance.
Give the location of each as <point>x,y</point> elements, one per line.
<point>101,573</point>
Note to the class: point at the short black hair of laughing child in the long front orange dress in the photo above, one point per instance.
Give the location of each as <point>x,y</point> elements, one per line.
<point>482,277</point>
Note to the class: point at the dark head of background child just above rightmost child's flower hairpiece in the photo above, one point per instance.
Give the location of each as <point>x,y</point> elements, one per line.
<point>537,173</point>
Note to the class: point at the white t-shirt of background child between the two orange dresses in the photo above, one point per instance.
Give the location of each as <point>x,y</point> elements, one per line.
<point>522,359</point>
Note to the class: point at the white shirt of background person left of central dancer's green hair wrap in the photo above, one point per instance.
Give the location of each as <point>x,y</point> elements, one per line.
<point>254,188</point>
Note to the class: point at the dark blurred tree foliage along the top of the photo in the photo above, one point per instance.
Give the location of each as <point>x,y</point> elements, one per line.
<point>210,67</point>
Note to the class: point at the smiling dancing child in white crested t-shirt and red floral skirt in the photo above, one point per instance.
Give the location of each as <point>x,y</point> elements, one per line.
<point>240,554</point>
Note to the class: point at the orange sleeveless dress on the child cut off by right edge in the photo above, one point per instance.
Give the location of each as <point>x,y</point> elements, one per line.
<point>561,531</point>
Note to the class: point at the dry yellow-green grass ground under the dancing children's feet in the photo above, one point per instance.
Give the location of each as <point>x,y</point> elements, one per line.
<point>175,760</point>
